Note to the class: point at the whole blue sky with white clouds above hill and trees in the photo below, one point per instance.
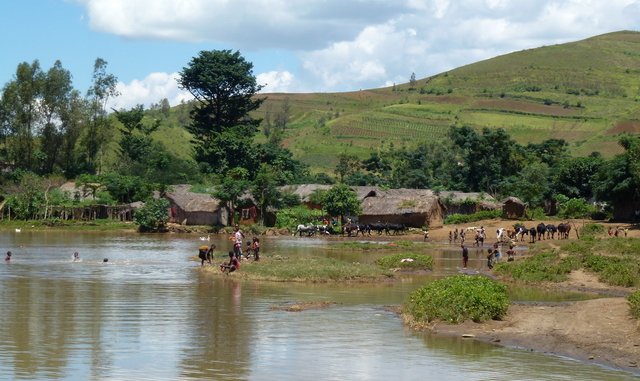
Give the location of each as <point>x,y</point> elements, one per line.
<point>295,46</point>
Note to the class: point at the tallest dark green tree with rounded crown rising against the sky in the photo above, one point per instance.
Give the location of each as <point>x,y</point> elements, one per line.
<point>225,89</point>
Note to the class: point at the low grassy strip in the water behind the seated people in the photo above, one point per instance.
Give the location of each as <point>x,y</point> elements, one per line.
<point>312,269</point>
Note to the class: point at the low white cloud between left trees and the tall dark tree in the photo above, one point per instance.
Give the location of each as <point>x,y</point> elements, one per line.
<point>152,89</point>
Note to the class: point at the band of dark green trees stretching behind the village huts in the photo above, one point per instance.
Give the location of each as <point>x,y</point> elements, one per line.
<point>50,130</point>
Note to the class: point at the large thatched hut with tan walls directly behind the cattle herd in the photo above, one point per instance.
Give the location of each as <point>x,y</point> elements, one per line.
<point>411,207</point>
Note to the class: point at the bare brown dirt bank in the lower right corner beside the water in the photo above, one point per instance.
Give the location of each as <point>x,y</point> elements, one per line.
<point>611,340</point>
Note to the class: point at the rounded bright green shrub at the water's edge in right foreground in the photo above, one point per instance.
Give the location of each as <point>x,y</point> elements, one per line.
<point>459,298</point>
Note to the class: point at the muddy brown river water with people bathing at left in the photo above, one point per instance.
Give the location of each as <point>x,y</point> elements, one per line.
<point>150,313</point>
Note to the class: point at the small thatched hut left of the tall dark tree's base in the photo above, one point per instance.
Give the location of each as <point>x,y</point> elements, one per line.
<point>189,208</point>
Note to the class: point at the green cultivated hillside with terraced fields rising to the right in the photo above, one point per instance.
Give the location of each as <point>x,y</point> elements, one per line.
<point>585,92</point>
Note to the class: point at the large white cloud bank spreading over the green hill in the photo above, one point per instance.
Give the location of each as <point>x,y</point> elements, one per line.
<point>351,44</point>
